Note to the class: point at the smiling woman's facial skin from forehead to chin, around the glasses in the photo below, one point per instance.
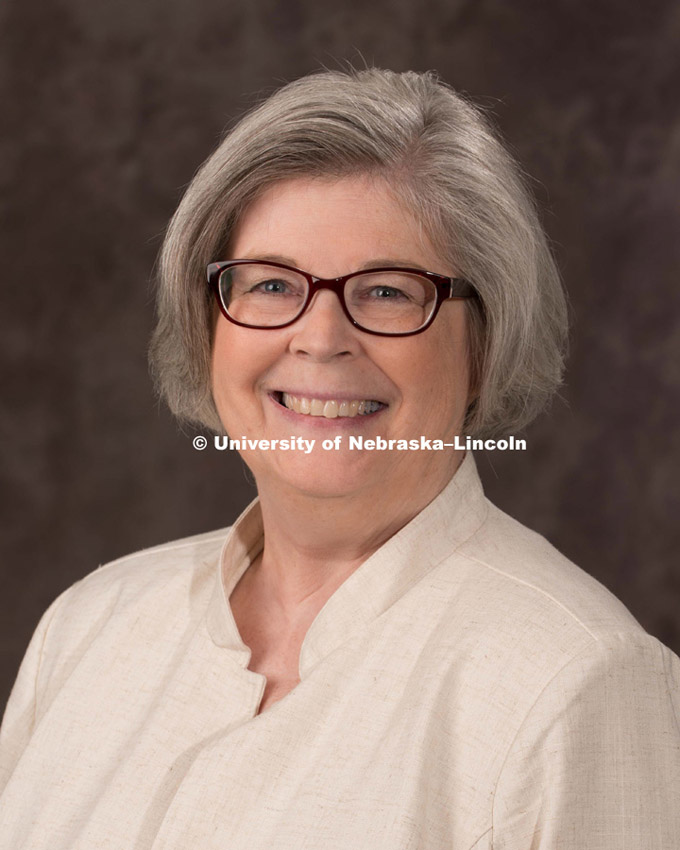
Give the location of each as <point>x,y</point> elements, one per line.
<point>330,227</point>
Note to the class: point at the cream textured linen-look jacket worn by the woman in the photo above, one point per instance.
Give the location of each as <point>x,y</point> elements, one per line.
<point>466,687</point>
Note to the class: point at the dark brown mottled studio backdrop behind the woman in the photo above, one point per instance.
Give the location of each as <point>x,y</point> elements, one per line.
<point>106,110</point>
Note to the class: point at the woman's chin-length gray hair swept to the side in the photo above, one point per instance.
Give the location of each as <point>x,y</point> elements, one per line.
<point>443,160</point>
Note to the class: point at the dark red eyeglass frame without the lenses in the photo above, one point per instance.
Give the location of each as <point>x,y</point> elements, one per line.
<point>446,288</point>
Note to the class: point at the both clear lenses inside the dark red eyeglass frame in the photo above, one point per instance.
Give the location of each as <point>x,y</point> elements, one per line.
<point>267,296</point>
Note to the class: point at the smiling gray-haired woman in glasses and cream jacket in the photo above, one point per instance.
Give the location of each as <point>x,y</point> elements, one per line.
<point>374,656</point>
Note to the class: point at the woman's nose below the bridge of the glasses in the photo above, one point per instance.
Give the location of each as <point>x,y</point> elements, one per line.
<point>324,331</point>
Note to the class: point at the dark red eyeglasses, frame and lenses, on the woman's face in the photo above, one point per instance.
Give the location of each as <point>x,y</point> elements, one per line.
<point>382,301</point>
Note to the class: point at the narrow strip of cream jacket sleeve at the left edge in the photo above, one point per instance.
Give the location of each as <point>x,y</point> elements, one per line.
<point>20,712</point>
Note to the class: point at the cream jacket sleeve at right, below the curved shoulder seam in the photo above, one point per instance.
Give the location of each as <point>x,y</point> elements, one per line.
<point>596,762</point>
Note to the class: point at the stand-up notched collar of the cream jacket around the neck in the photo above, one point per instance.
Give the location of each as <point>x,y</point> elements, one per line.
<point>382,579</point>
